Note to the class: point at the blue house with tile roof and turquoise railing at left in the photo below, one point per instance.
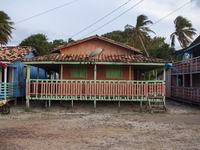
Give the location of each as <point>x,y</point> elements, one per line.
<point>13,76</point>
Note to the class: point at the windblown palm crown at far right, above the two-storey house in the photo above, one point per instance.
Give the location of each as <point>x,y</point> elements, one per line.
<point>184,32</point>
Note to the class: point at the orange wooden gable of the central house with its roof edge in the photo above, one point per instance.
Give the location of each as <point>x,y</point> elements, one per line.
<point>87,45</point>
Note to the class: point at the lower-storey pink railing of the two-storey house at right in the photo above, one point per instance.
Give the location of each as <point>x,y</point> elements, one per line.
<point>185,93</point>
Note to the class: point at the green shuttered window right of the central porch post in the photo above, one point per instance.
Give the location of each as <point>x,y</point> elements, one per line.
<point>113,71</point>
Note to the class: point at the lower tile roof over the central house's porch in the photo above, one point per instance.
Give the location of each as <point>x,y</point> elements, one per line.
<point>100,58</point>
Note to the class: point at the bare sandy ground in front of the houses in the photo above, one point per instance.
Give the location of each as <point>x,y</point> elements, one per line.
<point>59,129</point>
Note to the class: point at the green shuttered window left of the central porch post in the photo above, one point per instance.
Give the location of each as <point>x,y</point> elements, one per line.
<point>78,71</point>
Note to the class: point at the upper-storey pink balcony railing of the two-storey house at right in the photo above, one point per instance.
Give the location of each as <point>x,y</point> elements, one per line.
<point>187,65</point>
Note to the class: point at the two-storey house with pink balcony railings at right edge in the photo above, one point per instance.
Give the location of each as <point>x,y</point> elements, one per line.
<point>185,84</point>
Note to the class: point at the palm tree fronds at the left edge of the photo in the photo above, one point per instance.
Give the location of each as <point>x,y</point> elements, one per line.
<point>5,28</point>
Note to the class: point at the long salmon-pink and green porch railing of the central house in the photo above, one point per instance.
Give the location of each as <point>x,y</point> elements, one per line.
<point>90,90</point>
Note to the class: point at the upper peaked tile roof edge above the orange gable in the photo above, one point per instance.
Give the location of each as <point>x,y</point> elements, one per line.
<point>57,49</point>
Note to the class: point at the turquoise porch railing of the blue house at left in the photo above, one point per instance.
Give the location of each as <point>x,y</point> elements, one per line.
<point>8,90</point>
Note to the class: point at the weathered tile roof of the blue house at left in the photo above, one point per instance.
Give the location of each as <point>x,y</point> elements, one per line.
<point>15,53</point>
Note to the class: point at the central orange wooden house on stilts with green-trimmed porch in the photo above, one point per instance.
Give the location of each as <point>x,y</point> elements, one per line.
<point>114,75</point>
